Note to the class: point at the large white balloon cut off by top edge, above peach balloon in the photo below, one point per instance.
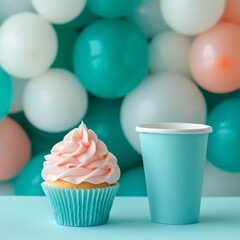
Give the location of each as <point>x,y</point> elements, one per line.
<point>192,17</point>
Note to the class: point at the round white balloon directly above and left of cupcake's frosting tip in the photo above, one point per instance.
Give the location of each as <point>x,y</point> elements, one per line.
<point>55,101</point>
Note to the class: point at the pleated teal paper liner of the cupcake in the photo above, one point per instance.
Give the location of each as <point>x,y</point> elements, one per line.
<point>81,207</point>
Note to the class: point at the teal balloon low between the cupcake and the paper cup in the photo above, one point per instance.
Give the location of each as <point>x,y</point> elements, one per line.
<point>133,183</point>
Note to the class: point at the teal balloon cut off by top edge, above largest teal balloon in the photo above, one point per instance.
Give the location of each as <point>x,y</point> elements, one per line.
<point>112,8</point>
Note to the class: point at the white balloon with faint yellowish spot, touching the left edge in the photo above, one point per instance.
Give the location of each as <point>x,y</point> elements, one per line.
<point>28,45</point>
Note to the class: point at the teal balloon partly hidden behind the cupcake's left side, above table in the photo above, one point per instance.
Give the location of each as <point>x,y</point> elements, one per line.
<point>29,180</point>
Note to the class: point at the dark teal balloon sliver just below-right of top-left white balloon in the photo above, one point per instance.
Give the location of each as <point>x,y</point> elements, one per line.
<point>86,17</point>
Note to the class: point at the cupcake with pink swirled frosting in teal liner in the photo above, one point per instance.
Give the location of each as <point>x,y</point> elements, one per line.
<point>80,179</point>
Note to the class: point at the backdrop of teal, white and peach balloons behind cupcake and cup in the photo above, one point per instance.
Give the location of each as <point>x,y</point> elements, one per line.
<point>114,65</point>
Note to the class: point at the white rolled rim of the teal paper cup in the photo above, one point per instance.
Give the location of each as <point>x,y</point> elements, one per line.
<point>174,128</point>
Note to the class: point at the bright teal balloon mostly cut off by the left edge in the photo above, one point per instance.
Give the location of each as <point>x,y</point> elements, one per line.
<point>5,93</point>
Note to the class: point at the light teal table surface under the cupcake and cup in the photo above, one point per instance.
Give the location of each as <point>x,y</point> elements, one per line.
<point>25,218</point>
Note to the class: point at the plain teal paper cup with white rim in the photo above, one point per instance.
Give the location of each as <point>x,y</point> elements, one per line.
<point>174,157</point>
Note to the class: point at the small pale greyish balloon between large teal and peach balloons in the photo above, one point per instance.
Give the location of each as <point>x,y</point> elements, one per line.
<point>169,51</point>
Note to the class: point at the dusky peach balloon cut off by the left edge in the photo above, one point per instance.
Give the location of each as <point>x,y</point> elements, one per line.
<point>14,148</point>
